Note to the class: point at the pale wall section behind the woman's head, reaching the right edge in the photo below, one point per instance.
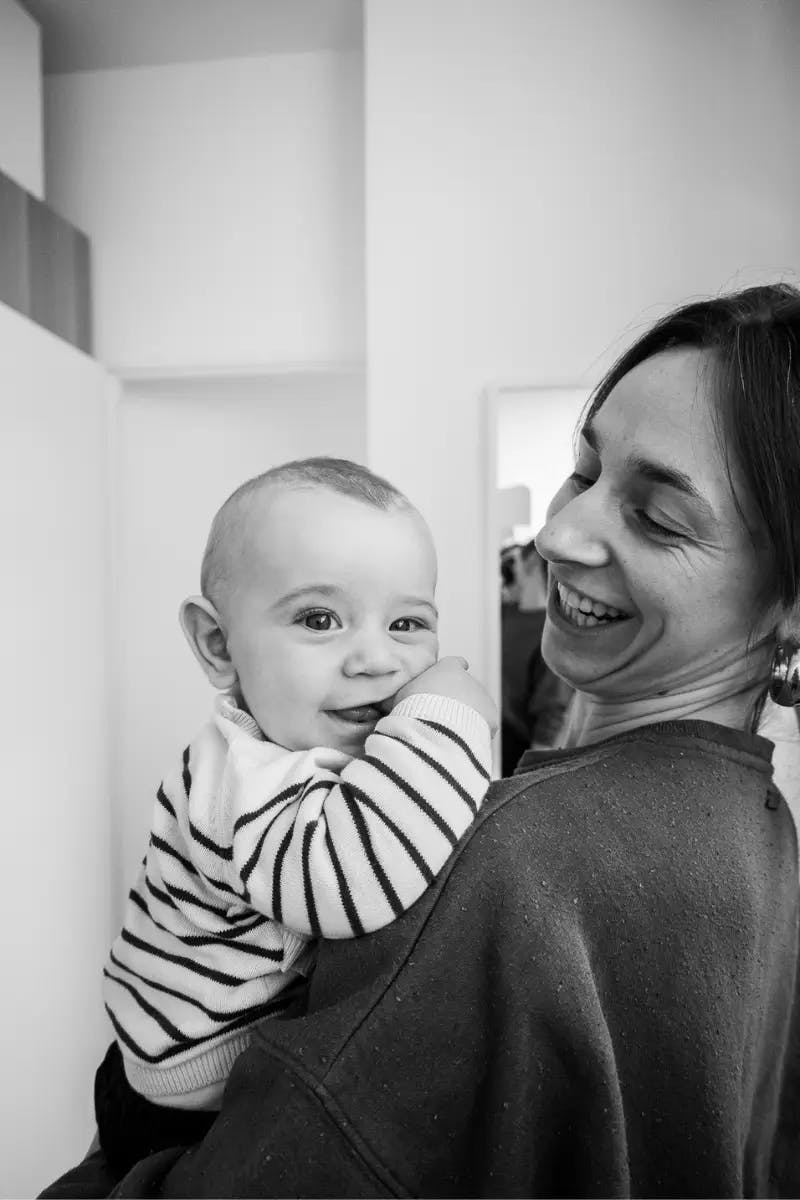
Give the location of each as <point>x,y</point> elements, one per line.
<point>544,178</point>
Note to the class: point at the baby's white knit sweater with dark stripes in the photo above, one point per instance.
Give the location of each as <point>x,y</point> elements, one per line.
<point>256,850</point>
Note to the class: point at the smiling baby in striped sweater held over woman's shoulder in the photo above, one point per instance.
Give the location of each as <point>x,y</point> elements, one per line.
<point>341,766</point>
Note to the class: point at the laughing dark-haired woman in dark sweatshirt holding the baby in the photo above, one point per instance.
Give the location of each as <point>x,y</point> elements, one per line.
<point>599,997</point>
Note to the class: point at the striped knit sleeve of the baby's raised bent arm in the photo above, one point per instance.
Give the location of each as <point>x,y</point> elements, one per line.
<point>340,847</point>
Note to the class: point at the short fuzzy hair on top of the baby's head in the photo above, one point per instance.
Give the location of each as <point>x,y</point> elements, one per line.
<point>336,475</point>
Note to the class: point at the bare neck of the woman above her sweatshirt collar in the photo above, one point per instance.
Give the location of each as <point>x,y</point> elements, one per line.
<point>592,719</point>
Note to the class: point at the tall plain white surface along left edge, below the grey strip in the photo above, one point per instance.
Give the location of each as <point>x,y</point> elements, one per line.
<point>55,883</point>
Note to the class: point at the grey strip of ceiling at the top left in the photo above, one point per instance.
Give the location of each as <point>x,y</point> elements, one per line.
<point>94,35</point>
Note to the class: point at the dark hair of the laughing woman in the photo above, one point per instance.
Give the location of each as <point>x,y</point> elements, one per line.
<point>754,338</point>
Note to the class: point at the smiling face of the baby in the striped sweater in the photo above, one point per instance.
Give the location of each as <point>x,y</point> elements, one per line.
<point>332,613</point>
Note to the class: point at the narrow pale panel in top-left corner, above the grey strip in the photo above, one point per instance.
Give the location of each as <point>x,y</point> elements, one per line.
<point>21,99</point>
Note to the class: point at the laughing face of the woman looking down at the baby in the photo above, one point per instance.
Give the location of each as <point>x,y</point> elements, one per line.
<point>654,575</point>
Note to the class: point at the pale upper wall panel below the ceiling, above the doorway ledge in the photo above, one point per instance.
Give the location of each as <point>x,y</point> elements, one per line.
<point>225,205</point>
